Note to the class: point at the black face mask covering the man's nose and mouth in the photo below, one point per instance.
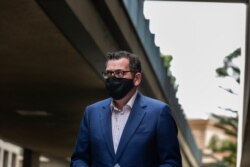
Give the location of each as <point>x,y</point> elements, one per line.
<point>118,87</point>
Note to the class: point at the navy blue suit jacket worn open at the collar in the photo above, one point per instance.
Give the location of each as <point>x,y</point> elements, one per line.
<point>149,138</point>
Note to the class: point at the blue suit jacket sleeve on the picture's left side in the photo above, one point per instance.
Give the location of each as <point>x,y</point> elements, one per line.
<point>81,156</point>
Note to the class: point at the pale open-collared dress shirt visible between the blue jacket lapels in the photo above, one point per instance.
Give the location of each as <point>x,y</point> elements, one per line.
<point>119,119</point>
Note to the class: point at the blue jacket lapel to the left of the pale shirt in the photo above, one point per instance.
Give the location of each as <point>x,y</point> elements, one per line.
<point>105,119</point>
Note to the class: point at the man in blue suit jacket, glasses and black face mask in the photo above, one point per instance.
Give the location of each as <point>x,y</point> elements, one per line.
<point>128,129</point>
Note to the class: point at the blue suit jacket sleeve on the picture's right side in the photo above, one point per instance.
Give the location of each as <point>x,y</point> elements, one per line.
<point>167,141</point>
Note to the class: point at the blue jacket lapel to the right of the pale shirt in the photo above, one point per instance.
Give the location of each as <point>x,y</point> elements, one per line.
<point>134,120</point>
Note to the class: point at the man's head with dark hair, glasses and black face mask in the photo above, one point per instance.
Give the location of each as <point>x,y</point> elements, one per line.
<point>122,74</point>
